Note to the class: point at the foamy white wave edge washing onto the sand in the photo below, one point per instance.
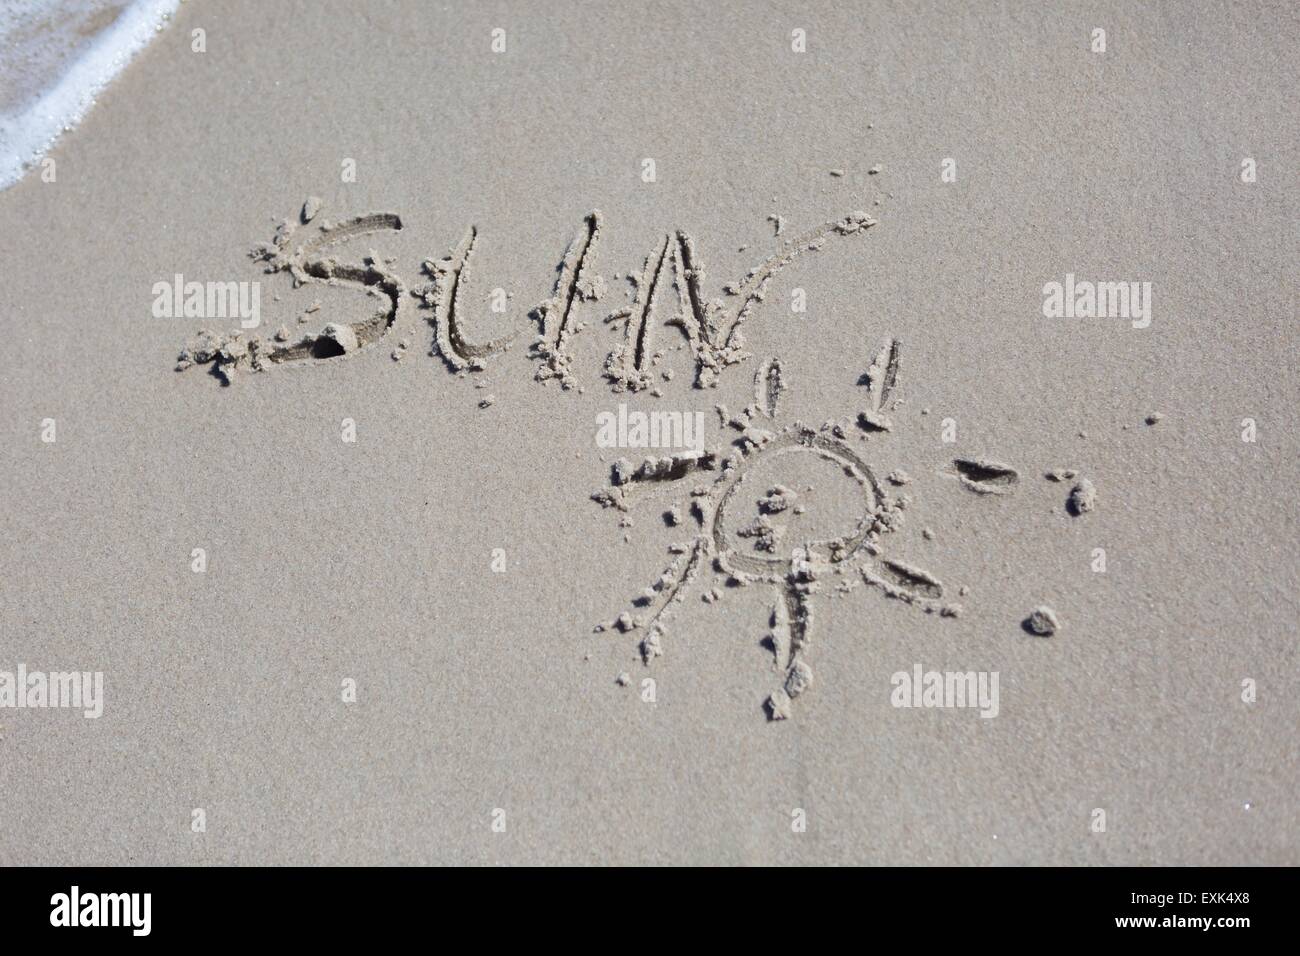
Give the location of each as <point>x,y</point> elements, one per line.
<point>55,59</point>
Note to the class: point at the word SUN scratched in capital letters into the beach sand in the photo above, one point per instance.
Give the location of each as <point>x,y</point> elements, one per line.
<point>713,330</point>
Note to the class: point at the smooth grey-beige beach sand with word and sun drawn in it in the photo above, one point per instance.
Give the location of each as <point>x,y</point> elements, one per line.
<point>359,611</point>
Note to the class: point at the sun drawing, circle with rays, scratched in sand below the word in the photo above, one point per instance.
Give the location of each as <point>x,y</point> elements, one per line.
<point>756,548</point>
